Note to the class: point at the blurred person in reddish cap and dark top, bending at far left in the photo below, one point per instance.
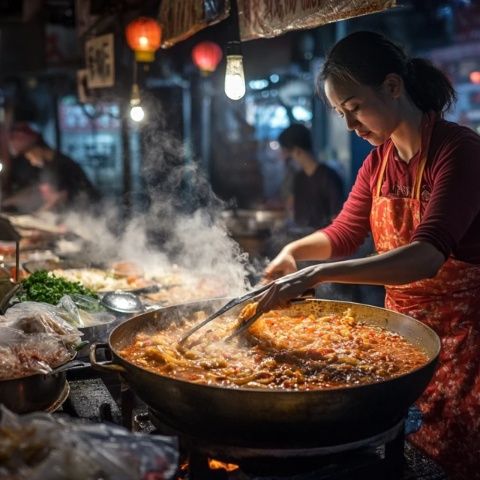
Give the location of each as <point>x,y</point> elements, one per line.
<point>56,181</point>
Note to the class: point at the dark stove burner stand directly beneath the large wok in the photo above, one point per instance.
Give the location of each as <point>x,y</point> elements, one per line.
<point>379,457</point>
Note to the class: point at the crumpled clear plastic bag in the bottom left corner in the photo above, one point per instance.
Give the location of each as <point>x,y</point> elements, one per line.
<point>38,446</point>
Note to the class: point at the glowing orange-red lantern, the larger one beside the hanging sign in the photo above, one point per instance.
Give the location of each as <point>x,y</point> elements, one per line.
<point>144,36</point>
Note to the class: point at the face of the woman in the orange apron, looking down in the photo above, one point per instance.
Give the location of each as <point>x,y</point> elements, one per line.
<point>370,112</point>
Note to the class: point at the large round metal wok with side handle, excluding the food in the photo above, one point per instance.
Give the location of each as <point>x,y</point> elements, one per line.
<point>275,419</point>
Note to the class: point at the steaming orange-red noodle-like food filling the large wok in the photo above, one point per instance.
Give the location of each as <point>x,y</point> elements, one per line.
<point>291,349</point>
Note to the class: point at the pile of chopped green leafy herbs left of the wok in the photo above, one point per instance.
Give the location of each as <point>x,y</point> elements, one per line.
<point>45,287</point>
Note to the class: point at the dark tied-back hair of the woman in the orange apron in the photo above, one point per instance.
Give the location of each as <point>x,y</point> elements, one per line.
<point>367,58</point>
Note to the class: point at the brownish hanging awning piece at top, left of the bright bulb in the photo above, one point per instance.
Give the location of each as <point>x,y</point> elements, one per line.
<point>181,19</point>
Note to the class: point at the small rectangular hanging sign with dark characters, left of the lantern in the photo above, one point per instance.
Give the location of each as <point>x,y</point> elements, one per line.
<point>100,59</point>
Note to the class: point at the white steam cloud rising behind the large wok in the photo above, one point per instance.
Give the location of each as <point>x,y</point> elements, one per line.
<point>178,224</point>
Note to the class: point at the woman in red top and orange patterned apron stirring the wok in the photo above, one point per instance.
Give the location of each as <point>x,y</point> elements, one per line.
<point>418,194</point>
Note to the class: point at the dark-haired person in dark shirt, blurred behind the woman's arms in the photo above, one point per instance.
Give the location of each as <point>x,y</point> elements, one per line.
<point>316,189</point>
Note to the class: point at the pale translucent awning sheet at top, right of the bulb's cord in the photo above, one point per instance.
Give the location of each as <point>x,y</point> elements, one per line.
<point>269,18</point>
